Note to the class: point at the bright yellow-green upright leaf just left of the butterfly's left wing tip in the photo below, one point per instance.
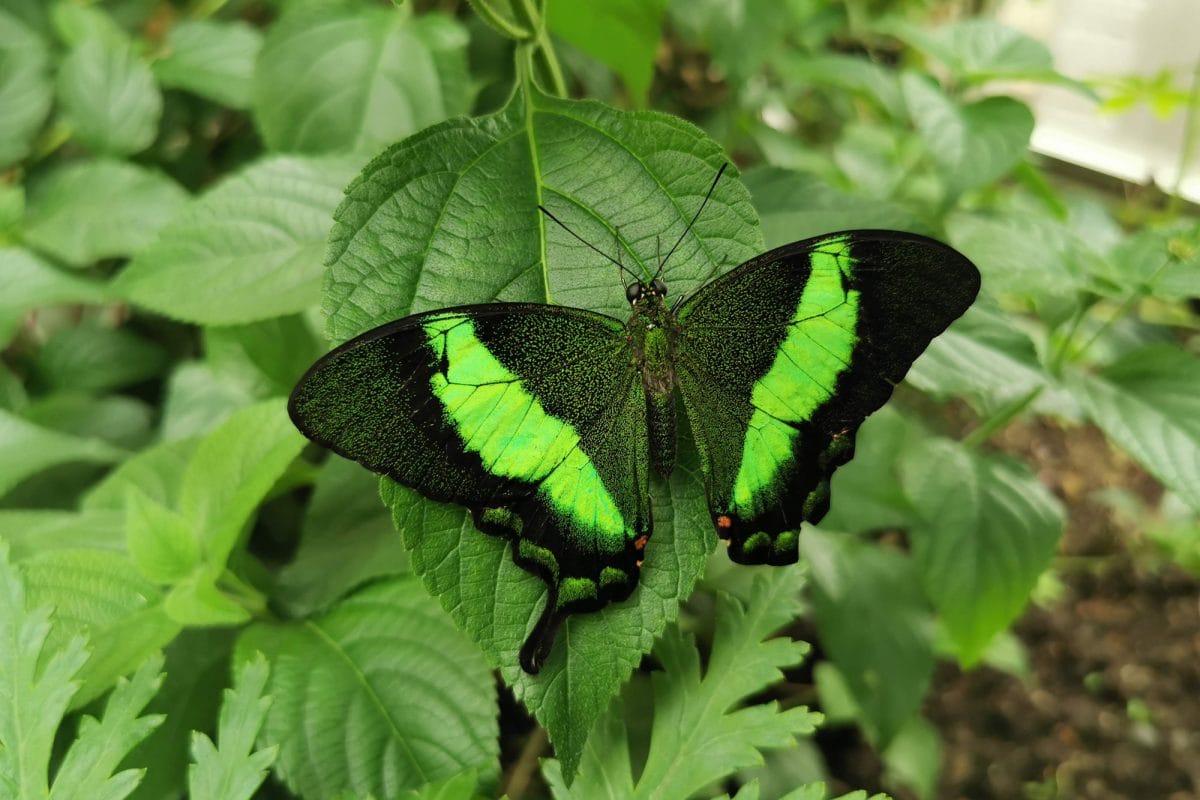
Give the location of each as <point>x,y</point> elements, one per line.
<point>232,472</point>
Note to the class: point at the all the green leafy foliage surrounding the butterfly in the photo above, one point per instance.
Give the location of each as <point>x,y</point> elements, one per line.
<point>185,188</point>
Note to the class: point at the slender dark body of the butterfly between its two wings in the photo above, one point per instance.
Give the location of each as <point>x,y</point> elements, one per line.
<point>651,338</point>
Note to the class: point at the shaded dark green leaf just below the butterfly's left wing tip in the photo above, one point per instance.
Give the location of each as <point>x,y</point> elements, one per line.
<point>347,538</point>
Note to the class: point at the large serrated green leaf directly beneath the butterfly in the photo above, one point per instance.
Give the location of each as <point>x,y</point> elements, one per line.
<point>449,216</point>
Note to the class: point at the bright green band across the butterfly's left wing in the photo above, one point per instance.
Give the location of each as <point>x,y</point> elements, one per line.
<point>514,436</point>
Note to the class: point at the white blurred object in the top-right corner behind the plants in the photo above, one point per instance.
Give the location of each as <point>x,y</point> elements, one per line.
<point>1112,39</point>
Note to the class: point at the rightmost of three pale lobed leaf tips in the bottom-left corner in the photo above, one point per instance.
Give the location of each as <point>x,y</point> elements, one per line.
<point>235,773</point>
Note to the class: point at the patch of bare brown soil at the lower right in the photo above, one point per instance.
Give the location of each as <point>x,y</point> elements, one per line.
<point>1112,708</point>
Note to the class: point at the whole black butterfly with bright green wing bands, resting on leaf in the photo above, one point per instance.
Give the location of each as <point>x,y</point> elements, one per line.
<point>549,422</point>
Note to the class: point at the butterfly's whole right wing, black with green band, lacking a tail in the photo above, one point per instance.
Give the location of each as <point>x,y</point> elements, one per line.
<point>781,362</point>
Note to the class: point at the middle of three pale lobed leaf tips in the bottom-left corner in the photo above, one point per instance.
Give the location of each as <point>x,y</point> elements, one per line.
<point>87,772</point>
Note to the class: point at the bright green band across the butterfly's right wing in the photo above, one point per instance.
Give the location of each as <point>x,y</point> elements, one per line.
<point>805,375</point>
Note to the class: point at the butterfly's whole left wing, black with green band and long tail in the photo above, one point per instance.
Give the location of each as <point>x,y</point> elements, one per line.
<point>533,417</point>
